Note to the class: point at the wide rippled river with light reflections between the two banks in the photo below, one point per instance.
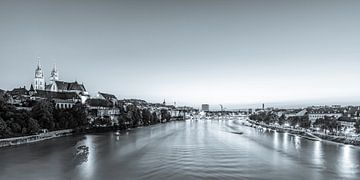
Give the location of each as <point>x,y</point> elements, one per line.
<point>194,149</point>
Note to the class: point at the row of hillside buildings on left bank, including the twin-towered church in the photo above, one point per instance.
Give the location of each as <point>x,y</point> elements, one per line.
<point>66,94</point>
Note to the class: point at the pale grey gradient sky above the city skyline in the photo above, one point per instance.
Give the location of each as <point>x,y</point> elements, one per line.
<point>231,52</point>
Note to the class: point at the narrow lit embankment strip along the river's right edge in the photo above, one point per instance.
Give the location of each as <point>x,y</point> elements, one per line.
<point>311,136</point>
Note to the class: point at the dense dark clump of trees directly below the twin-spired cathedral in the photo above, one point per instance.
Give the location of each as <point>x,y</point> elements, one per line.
<point>43,115</point>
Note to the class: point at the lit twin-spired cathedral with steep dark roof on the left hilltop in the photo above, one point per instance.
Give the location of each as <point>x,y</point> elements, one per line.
<point>56,87</point>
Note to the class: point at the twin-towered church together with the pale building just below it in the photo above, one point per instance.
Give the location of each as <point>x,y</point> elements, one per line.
<point>65,94</point>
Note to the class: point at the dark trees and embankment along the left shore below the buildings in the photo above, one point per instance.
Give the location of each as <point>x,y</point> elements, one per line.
<point>43,121</point>
